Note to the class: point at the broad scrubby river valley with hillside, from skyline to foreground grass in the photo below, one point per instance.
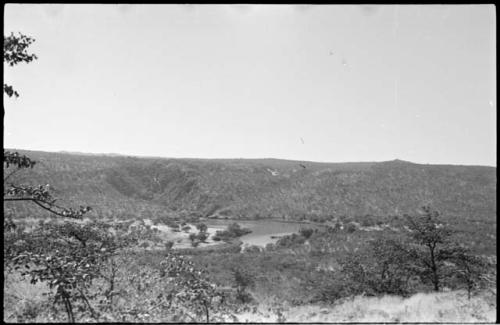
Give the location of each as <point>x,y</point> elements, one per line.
<point>274,244</point>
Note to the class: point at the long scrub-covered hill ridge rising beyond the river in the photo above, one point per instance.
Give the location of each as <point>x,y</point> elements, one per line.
<point>261,188</point>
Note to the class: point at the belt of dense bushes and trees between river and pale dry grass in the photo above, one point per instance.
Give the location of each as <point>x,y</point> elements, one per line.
<point>322,266</point>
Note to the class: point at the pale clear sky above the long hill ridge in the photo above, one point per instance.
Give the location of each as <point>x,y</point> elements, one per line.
<point>320,83</point>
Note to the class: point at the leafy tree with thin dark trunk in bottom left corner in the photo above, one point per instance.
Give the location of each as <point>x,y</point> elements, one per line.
<point>66,256</point>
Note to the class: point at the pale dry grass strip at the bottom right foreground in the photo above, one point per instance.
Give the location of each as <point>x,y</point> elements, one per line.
<point>423,307</point>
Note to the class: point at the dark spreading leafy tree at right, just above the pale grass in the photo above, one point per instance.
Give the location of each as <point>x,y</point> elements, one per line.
<point>405,263</point>
